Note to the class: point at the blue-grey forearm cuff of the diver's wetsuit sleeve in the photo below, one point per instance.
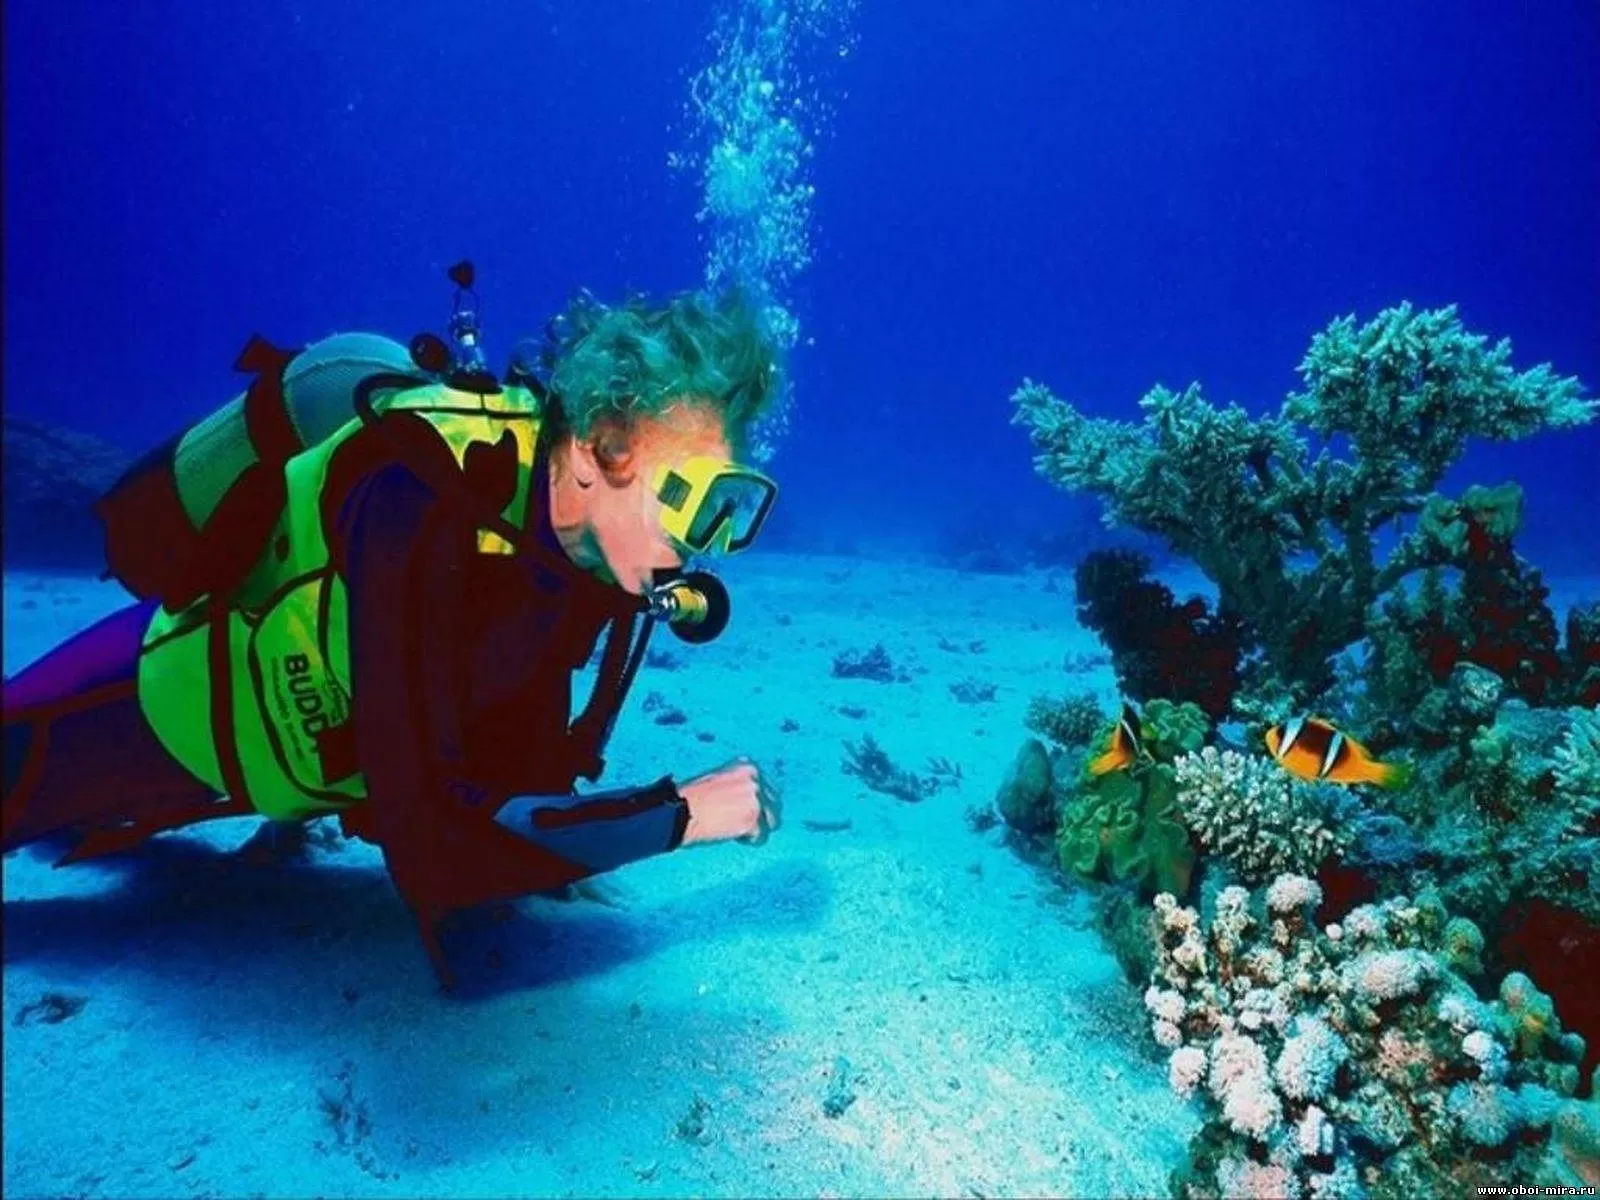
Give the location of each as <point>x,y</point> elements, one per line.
<point>602,831</point>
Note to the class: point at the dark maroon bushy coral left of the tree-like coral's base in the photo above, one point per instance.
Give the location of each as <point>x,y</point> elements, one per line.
<point>1159,647</point>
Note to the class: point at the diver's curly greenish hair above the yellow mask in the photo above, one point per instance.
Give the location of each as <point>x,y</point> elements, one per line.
<point>620,364</point>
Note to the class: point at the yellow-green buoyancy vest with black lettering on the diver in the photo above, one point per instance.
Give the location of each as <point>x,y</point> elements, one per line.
<point>255,695</point>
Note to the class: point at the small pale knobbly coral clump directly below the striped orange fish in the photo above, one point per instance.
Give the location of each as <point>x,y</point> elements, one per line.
<point>1254,815</point>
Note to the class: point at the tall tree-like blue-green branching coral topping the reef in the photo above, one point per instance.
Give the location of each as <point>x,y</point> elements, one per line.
<point>1289,530</point>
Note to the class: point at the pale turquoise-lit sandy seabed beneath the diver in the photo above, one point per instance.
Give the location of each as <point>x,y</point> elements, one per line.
<point>991,1038</point>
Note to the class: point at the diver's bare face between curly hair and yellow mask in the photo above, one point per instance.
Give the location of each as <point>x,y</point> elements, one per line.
<point>625,519</point>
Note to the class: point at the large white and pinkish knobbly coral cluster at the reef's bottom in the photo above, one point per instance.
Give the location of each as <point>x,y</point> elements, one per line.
<point>1354,1060</point>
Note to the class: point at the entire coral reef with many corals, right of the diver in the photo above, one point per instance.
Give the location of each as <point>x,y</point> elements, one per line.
<point>1369,1057</point>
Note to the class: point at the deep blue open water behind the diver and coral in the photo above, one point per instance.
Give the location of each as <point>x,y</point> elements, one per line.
<point>1098,196</point>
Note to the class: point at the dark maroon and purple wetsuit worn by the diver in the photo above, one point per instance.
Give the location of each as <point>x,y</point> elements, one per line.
<point>462,679</point>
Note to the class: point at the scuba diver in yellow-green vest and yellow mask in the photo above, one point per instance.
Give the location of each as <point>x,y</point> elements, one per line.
<point>367,583</point>
